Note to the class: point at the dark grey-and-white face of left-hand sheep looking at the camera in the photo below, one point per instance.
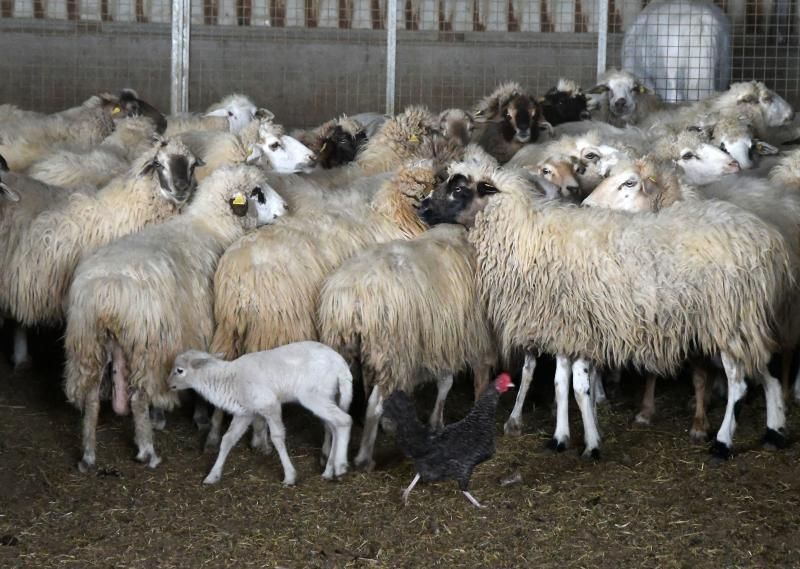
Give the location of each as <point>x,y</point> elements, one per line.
<point>174,164</point>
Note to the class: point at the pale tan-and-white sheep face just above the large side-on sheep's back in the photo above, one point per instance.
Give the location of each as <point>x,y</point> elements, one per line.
<point>626,190</point>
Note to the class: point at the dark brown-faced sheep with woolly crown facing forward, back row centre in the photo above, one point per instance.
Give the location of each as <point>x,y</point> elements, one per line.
<point>507,119</point>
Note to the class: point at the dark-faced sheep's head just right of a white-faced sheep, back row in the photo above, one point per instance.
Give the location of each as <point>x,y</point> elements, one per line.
<point>335,142</point>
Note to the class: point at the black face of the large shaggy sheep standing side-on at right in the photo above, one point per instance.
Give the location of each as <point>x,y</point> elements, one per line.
<point>456,200</point>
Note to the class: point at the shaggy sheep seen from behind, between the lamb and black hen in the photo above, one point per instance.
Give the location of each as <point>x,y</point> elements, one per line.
<point>404,307</point>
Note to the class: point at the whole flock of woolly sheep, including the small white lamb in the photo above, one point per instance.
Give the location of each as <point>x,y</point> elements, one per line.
<point>417,247</point>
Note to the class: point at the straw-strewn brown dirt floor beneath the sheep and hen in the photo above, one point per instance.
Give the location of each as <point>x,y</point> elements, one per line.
<point>653,500</point>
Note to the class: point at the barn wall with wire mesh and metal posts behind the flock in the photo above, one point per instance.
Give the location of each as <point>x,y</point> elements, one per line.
<point>308,60</point>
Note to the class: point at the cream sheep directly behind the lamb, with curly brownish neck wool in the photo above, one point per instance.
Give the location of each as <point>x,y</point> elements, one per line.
<point>302,250</point>
